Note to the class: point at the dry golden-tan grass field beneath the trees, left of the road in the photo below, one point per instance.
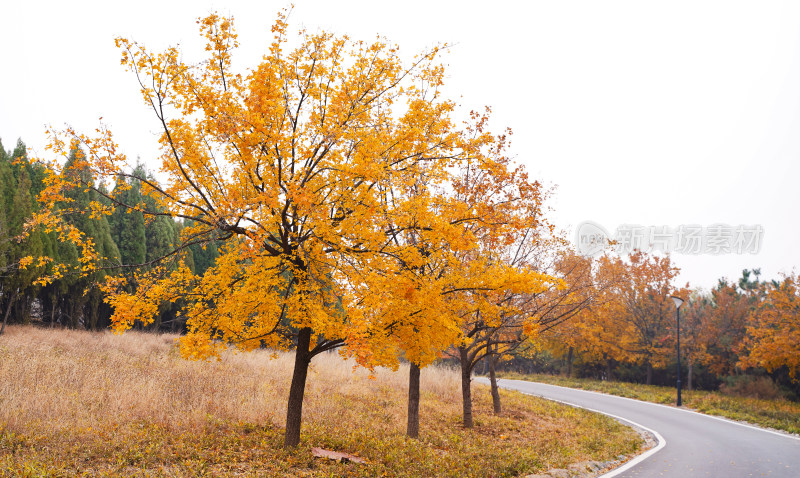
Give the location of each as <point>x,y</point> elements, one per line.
<point>76,403</point>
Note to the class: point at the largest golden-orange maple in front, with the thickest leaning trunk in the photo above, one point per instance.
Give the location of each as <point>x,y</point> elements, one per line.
<point>320,171</point>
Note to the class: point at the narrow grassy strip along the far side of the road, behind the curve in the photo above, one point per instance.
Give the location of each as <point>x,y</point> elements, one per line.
<point>778,414</point>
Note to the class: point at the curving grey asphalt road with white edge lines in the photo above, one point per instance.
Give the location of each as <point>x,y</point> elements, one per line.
<point>690,444</point>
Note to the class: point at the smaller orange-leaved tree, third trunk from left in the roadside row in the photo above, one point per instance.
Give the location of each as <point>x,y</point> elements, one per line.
<point>506,240</point>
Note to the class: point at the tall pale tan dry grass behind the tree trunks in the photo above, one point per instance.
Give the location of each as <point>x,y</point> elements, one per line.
<point>57,380</point>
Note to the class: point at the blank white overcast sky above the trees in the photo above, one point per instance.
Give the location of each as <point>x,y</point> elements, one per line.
<point>651,113</point>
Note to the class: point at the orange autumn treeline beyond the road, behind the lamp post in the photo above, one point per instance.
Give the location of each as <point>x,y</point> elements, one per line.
<point>740,337</point>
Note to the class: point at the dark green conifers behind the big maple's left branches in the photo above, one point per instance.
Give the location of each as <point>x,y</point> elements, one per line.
<point>122,238</point>
